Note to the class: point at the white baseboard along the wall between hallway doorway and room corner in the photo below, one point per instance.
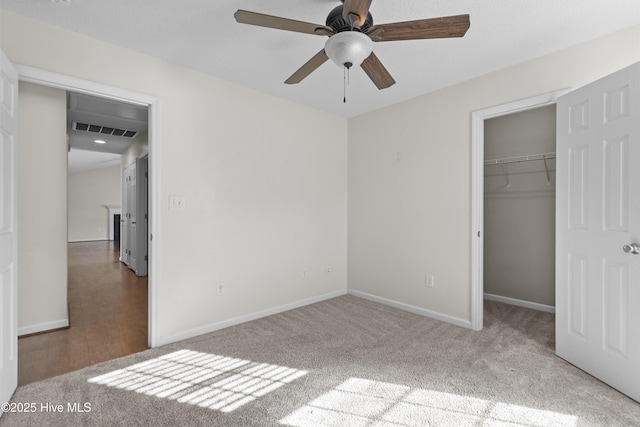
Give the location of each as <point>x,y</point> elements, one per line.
<point>246,318</point>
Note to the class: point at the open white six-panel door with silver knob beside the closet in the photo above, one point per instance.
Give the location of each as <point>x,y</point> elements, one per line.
<point>597,225</point>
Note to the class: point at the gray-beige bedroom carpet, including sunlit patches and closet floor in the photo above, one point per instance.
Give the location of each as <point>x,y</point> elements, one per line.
<point>341,362</point>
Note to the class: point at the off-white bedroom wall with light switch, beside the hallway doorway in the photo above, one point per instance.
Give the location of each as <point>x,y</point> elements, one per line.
<point>265,188</point>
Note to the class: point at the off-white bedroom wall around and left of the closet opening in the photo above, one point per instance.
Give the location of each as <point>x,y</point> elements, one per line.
<point>410,180</point>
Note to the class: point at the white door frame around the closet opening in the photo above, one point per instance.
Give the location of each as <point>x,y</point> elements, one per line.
<point>477,191</point>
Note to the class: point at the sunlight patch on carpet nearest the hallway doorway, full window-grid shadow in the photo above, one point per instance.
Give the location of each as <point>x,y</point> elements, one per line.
<point>206,380</point>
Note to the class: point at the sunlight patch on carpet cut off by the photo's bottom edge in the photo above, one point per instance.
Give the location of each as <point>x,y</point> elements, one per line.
<point>361,402</point>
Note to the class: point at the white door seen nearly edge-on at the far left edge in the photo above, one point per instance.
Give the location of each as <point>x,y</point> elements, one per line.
<point>8,229</point>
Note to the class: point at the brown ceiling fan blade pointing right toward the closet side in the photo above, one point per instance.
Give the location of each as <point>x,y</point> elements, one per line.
<point>434,28</point>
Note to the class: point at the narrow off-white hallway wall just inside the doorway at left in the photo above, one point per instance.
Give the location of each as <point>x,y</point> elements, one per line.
<point>42,209</point>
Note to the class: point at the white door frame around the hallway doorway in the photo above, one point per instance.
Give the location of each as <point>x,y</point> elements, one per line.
<point>74,84</point>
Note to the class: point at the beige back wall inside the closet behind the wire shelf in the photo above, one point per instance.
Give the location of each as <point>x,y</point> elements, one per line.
<point>519,219</point>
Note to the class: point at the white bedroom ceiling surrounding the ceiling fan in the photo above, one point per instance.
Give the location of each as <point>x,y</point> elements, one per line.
<point>203,35</point>
